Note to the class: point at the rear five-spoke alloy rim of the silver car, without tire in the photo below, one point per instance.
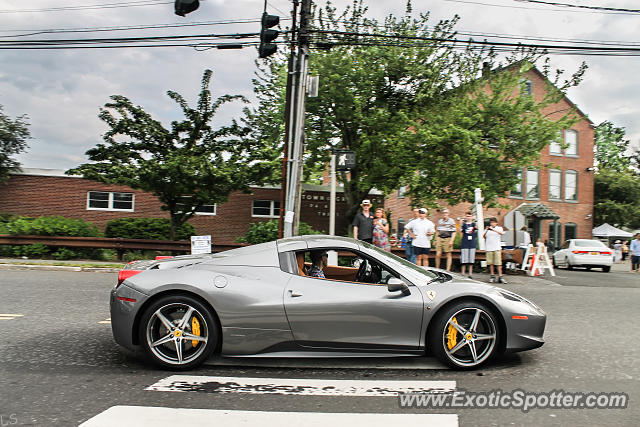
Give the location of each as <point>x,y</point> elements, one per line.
<point>177,333</point>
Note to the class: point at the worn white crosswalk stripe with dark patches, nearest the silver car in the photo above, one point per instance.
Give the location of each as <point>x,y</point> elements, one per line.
<point>292,386</point>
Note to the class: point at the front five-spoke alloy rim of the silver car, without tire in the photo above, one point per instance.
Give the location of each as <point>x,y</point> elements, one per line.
<point>469,337</point>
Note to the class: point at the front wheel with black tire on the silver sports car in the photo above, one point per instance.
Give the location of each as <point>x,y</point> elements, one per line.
<point>485,349</point>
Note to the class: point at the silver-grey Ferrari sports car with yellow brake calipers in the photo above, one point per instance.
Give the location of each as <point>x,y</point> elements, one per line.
<point>270,300</point>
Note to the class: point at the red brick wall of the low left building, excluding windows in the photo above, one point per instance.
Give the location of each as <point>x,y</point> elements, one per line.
<point>40,195</point>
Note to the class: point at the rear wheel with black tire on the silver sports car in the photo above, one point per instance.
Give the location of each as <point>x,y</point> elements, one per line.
<point>174,308</point>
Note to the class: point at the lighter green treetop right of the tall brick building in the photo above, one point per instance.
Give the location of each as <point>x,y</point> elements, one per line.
<point>611,148</point>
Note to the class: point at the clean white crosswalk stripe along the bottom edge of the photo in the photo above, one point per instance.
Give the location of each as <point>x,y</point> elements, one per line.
<point>135,416</point>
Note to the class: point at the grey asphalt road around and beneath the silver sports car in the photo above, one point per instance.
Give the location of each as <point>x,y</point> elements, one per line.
<point>59,365</point>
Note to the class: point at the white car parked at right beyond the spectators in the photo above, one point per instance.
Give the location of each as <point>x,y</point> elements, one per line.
<point>584,253</point>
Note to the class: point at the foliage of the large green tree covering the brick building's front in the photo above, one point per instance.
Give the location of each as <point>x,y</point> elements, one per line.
<point>417,112</point>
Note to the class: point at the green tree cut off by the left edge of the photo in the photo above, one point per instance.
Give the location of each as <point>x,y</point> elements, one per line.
<point>14,134</point>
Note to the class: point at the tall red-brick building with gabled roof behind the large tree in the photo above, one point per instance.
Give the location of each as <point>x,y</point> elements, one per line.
<point>566,188</point>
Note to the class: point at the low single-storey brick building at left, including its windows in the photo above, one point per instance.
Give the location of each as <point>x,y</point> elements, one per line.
<point>46,192</point>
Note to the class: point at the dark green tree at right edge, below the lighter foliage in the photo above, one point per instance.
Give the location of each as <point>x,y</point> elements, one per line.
<point>617,198</point>
